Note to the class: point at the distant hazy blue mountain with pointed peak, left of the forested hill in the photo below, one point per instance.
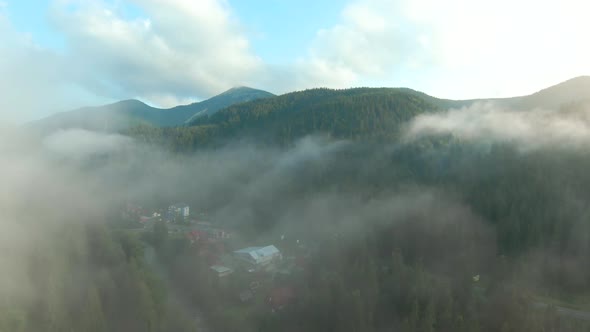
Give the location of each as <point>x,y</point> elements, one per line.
<point>128,113</point>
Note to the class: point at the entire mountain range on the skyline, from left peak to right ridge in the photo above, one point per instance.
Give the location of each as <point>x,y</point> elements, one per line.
<point>354,113</point>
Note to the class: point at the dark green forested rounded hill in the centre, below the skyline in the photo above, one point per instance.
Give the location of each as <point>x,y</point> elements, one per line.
<point>351,113</point>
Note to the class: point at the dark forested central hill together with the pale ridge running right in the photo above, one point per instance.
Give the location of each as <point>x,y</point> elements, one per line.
<point>358,113</point>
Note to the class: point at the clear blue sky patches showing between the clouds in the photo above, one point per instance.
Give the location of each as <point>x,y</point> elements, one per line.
<point>280,29</point>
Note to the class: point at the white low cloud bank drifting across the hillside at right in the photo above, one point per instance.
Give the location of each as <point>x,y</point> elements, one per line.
<point>531,129</point>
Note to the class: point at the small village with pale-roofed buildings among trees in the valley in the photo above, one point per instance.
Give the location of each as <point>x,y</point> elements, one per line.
<point>259,275</point>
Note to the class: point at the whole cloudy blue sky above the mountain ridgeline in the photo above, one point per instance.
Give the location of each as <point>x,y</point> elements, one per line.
<point>57,55</point>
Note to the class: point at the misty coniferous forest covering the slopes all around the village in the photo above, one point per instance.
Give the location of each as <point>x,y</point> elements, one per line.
<point>391,231</point>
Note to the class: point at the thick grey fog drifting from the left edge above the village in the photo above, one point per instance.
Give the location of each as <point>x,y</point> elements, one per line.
<point>76,176</point>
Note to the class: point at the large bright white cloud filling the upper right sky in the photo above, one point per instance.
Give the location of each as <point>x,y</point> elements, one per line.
<point>455,48</point>
